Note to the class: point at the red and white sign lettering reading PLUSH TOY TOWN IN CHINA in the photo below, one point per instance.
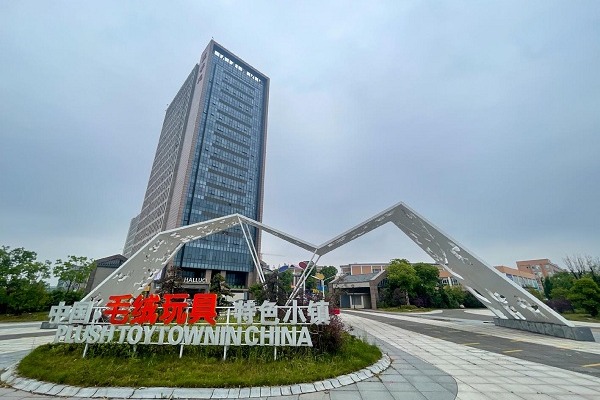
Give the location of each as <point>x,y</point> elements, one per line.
<point>179,320</point>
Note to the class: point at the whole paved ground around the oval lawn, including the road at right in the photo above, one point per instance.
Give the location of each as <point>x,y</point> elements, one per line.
<point>437,364</point>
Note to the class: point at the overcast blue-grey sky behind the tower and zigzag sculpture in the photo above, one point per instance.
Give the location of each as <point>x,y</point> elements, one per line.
<point>482,116</point>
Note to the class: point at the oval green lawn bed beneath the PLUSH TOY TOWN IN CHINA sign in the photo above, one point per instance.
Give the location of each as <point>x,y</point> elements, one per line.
<point>201,366</point>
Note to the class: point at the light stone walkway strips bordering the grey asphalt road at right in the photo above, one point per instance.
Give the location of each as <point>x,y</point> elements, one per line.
<point>480,374</point>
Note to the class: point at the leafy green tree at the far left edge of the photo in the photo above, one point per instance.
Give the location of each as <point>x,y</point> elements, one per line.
<point>22,287</point>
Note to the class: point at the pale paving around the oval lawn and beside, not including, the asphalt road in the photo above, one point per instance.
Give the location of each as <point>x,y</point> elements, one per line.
<point>422,367</point>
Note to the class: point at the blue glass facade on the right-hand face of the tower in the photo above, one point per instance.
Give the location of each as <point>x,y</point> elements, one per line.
<point>227,167</point>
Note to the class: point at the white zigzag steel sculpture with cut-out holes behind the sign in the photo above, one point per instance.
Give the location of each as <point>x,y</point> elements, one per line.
<point>513,306</point>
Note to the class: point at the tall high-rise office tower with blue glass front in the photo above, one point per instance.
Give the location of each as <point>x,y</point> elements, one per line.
<point>210,162</point>
